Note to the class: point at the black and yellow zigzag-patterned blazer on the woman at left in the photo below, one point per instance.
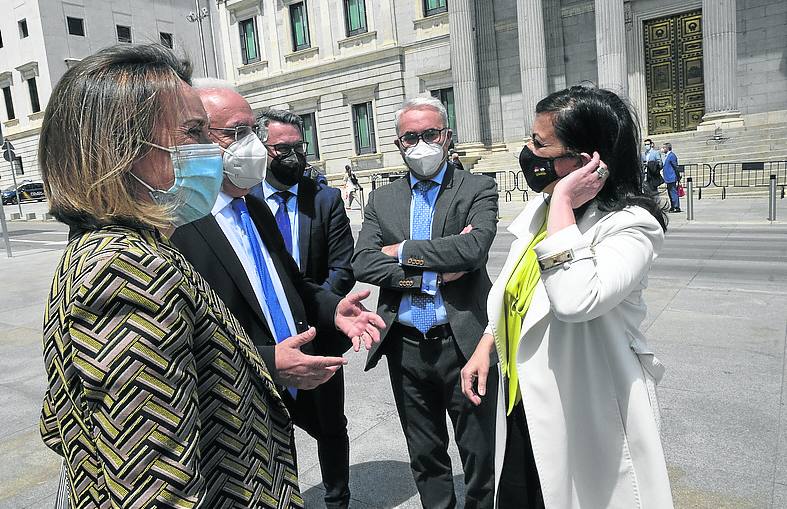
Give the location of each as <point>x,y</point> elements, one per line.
<point>156,397</point>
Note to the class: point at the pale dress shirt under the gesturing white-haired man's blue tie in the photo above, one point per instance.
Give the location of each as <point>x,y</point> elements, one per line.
<point>236,234</point>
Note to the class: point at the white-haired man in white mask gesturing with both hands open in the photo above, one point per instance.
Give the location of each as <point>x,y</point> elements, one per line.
<point>241,253</point>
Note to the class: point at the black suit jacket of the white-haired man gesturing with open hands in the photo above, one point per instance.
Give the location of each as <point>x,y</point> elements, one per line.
<point>203,243</point>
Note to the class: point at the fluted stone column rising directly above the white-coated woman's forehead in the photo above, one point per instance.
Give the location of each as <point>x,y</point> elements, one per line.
<point>532,58</point>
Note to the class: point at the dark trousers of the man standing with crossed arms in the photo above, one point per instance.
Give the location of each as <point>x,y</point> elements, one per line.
<point>425,382</point>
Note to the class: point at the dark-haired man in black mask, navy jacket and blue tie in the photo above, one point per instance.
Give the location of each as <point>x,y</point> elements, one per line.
<point>316,232</point>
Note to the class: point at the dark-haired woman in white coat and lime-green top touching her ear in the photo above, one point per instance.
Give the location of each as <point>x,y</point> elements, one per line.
<point>578,422</point>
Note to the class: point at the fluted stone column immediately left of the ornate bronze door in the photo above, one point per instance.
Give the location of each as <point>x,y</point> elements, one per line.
<point>611,46</point>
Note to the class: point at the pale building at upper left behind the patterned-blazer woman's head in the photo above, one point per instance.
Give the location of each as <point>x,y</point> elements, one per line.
<point>40,39</point>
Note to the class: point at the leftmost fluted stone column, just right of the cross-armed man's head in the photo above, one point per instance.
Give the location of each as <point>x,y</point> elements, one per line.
<point>464,69</point>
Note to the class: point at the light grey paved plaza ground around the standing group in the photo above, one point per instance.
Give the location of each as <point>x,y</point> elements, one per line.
<point>717,319</point>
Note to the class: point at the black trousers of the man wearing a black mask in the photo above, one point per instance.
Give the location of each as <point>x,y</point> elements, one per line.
<point>320,413</point>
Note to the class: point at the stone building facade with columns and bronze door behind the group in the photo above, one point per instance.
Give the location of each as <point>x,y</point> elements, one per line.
<point>685,65</point>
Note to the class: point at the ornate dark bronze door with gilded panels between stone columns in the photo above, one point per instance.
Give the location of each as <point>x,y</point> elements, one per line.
<point>673,72</point>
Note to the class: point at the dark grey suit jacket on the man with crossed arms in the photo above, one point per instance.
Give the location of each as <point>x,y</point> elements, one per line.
<point>463,199</point>
